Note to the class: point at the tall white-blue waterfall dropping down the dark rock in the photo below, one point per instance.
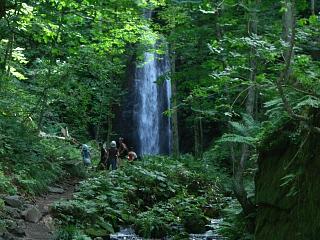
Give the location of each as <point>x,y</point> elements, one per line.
<point>153,128</point>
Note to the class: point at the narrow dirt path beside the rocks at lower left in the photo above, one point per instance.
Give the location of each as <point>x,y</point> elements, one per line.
<point>44,228</point>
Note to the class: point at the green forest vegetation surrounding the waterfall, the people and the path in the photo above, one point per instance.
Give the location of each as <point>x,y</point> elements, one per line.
<point>245,78</point>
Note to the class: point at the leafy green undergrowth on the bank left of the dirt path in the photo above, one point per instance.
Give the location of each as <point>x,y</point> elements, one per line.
<point>29,163</point>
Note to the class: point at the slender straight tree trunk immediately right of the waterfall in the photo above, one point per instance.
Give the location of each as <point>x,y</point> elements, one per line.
<point>175,130</point>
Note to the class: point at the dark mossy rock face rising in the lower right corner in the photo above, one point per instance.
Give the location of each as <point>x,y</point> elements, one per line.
<point>288,186</point>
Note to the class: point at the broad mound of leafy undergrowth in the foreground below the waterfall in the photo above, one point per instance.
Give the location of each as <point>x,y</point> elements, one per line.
<point>158,196</point>
